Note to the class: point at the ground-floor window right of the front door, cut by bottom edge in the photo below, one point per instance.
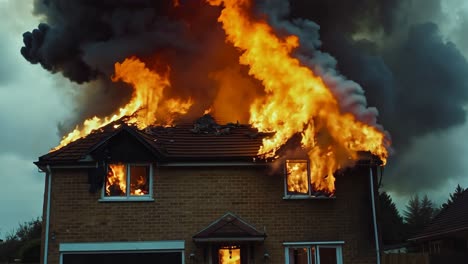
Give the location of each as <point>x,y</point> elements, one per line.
<point>313,253</point>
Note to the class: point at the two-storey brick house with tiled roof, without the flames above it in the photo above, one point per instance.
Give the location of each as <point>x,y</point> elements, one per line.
<point>197,194</point>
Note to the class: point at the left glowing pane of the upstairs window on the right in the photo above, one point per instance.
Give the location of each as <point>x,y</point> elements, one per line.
<point>297,176</point>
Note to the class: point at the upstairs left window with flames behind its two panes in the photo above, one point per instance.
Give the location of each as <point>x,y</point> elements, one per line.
<point>128,182</point>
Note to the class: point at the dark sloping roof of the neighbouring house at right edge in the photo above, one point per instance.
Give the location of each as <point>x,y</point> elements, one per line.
<point>449,221</point>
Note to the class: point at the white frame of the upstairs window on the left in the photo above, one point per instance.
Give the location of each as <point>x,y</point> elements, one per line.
<point>128,197</point>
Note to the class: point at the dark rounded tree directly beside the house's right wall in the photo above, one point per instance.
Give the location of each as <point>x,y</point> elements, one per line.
<point>390,221</point>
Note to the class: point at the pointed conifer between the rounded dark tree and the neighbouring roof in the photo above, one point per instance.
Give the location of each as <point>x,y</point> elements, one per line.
<point>418,213</point>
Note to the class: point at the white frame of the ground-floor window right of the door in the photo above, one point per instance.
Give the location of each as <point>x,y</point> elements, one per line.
<point>322,244</point>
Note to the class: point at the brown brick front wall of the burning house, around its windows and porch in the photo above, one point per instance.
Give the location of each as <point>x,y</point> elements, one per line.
<point>188,199</point>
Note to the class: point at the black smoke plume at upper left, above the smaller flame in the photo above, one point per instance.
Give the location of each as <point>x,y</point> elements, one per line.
<point>83,39</point>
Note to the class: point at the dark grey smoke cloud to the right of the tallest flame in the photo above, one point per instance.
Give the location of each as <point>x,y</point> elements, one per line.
<point>409,71</point>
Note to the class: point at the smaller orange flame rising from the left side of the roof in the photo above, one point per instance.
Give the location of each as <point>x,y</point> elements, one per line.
<point>143,107</point>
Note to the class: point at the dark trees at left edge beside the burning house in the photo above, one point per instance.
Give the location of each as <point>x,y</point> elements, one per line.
<point>24,243</point>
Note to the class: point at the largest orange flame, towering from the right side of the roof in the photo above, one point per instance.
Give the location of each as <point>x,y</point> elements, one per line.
<point>297,100</point>
